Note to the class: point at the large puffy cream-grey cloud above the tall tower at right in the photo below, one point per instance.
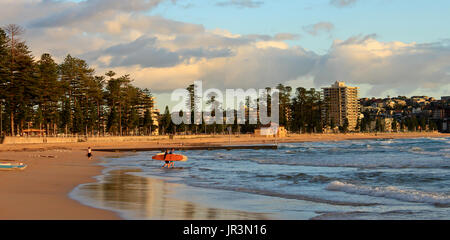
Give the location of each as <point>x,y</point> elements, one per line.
<point>398,66</point>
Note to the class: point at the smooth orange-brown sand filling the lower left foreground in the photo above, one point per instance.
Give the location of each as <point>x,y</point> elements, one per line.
<point>41,191</point>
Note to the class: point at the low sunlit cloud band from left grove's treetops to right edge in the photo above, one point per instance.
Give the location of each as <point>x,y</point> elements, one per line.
<point>361,60</point>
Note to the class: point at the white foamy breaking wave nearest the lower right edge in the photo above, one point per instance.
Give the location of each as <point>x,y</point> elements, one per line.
<point>392,192</point>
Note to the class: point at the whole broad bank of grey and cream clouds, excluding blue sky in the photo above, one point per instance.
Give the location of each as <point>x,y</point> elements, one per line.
<point>163,54</point>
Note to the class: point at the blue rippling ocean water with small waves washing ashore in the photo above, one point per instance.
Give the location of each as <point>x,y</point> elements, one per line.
<point>359,179</point>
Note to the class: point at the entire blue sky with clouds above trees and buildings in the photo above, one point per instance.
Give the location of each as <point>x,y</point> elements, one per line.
<point>385,47</point>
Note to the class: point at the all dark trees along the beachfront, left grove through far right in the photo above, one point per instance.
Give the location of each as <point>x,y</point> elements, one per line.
<point>68,98</point>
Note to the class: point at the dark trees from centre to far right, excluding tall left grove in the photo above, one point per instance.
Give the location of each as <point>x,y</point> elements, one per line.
<point>301,111</point>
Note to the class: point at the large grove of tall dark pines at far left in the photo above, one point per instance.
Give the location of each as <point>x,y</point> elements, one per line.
<point>66,98</point>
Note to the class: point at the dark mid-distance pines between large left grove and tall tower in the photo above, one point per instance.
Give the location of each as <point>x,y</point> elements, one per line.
<point>298,113</point>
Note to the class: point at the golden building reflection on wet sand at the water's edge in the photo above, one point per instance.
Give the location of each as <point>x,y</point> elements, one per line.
<point>148,198</point>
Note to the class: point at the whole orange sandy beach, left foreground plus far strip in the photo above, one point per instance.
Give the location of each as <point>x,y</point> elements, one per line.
<point>54,170</point>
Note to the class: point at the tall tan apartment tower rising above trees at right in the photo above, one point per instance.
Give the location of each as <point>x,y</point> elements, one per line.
<point>341,103</point>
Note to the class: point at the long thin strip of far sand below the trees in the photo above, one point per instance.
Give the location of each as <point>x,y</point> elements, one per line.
<point>214,140</point>
